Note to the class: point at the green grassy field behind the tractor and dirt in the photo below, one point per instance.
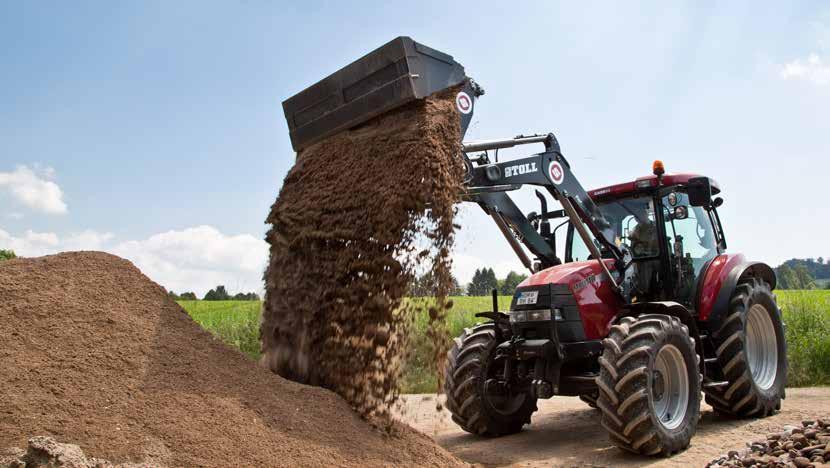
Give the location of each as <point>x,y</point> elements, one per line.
<point>806,313</point>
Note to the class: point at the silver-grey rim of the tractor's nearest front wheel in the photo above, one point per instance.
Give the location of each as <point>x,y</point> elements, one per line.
<point>670,387</point>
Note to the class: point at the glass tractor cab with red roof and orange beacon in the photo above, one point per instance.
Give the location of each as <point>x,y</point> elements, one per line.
<point>669,225</point>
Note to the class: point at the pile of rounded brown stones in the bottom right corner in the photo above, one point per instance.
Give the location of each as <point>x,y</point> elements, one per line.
<point>800,447</point>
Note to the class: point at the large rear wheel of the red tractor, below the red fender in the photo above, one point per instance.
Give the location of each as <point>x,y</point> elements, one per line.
<point>752,352</point>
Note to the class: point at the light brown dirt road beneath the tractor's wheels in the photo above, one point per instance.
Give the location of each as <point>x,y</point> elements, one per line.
<point>567,432</point>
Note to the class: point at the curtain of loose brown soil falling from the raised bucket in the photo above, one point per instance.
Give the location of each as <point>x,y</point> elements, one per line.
<point>357,215</point>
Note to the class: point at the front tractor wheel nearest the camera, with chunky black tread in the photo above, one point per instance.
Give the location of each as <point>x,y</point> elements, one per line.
<point>649,385</point>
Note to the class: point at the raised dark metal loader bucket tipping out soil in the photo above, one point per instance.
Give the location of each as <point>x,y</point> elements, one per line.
<point>394,74</point>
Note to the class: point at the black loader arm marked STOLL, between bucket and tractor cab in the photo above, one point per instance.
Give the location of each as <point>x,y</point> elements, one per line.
<point>488,184</point>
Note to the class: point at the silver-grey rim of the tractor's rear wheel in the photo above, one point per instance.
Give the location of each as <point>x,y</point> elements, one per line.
<point>761,346</point>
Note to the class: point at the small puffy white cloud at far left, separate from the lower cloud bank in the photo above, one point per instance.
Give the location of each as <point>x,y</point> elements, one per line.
<point>33,190</point>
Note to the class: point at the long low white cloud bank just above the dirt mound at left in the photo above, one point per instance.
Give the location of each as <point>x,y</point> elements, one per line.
<point>194,259</point>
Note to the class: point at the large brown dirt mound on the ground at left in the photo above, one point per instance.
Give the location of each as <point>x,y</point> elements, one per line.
<point>95,354</point>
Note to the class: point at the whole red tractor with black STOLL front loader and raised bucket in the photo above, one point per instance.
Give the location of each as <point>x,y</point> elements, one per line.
<point>638,308</point>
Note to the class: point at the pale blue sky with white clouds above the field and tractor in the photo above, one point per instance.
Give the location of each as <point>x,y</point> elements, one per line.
<point>154,130</point>
